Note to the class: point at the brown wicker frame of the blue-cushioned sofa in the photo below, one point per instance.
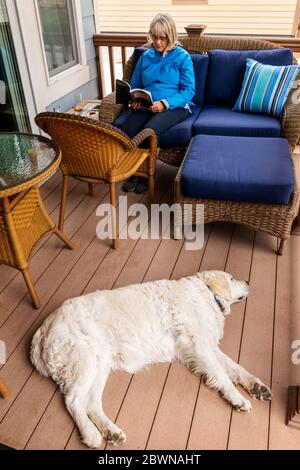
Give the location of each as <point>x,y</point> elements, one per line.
<point>109,110</point>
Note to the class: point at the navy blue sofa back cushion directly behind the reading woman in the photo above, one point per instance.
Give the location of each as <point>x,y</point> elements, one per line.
<point>200,63</point>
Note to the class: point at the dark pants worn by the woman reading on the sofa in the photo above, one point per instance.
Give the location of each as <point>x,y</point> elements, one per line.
<point>159,122</point>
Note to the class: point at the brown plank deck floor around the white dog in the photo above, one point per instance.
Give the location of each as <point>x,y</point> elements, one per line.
<point>165,407</point>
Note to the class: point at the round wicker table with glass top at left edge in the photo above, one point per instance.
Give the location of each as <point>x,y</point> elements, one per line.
<point>25,161</point>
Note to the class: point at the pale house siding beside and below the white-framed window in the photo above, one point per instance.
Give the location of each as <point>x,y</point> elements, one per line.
<point>89,89</point>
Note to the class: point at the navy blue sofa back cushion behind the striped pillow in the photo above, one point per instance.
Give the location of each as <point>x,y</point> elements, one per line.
<point>227,69</point>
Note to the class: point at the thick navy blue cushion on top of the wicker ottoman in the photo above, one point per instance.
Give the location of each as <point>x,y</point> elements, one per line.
<point>238,169</point>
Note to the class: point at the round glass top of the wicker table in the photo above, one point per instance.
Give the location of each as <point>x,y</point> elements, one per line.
<point>23,157</point>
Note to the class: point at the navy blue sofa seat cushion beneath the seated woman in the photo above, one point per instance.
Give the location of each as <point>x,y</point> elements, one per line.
<point>177,136</point>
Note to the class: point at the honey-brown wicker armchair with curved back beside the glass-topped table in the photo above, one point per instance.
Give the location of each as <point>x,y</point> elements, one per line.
<point>98,153</point>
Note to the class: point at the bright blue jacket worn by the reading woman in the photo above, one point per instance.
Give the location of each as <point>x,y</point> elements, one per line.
<point>170,78</point>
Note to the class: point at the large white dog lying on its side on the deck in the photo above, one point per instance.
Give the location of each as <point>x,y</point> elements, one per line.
<point>131,327</point>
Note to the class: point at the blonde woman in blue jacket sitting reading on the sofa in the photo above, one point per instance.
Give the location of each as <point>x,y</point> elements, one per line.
<point>166,70</point>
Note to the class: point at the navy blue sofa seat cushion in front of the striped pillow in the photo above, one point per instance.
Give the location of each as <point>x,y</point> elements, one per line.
<point>221,120</point>
